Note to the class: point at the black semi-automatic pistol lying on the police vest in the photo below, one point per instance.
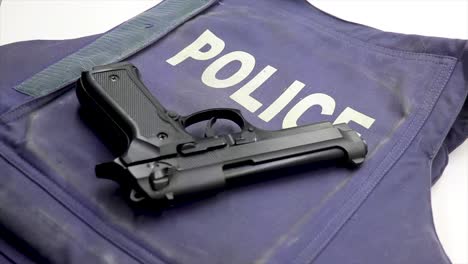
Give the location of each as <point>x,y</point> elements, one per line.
<point>159,160</point>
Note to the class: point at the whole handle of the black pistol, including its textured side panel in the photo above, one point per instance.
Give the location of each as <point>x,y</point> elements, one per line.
<point>116,92</point>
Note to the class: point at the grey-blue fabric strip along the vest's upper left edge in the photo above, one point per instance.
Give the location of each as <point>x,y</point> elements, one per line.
<point>118,44</point>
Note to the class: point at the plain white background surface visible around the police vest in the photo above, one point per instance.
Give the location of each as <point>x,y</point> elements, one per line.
<point>60,19</point>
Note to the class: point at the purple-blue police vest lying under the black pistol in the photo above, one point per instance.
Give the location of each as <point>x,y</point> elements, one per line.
<point>283,64</point>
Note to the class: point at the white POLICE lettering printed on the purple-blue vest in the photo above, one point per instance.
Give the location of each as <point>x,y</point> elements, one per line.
<point>243,95</point>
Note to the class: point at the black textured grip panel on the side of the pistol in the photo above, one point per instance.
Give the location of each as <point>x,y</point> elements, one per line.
<point>128,95</point>
